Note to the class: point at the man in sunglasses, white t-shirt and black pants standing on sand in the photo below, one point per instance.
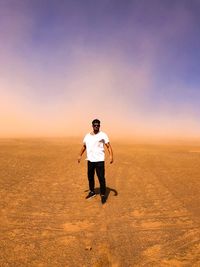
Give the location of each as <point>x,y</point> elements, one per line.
<point>94,143</point>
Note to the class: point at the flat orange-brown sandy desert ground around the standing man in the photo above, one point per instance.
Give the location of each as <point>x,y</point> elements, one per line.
<point>151,217</point>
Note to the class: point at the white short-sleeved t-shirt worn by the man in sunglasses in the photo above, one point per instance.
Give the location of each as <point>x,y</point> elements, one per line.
<point>95,146</point>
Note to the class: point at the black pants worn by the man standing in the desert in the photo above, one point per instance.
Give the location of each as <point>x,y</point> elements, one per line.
<point>100,171</point>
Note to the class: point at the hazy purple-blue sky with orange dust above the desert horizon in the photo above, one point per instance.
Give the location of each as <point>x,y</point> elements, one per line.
<point>133,64</point>
